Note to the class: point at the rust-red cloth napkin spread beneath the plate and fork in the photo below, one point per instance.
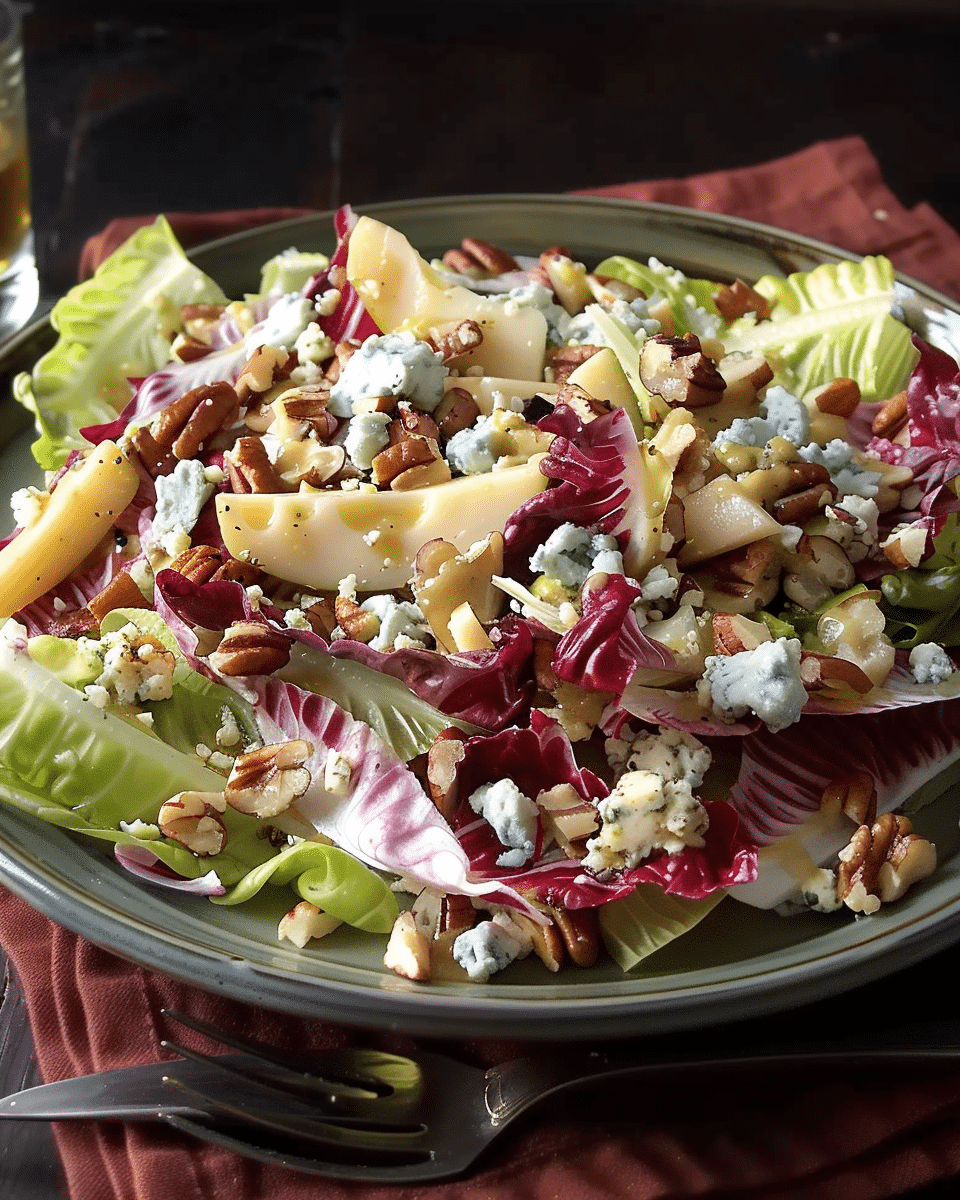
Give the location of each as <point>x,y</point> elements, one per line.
<point>833,1137</point>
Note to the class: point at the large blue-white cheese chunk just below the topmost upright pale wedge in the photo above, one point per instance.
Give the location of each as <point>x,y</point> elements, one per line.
<point>391,365</point>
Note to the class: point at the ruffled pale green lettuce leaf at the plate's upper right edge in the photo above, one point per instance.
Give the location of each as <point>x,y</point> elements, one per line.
<point>832,322</point>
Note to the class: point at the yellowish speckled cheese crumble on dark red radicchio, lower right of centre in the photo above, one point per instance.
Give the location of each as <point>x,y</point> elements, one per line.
<point>645,813</point>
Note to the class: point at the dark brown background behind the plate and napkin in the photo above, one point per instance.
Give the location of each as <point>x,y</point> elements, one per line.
<point>137,107</point>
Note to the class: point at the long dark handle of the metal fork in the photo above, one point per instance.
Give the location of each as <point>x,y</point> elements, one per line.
<point>517,1085</point>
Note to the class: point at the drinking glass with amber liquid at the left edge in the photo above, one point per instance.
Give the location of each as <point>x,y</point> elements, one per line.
<point>19,275</point>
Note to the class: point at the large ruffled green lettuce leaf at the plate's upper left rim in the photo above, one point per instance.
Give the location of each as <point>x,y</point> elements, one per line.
<point>115,327</point>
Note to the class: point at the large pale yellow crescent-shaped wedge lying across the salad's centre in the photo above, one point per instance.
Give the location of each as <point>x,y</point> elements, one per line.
<point>319,539</point>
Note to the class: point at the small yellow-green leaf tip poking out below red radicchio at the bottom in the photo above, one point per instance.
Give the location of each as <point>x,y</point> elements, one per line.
<point>647,920</point>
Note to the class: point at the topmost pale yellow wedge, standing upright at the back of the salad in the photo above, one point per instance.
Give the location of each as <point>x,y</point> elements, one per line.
<point>403,292</point>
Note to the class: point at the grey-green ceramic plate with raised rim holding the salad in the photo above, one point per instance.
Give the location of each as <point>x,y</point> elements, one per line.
<point>739,963</point>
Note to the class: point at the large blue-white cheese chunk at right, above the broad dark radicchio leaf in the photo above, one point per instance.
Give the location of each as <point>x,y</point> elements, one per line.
<point>765,681</point>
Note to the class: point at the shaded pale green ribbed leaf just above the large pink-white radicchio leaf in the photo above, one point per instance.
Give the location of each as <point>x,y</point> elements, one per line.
<point>407,724</point>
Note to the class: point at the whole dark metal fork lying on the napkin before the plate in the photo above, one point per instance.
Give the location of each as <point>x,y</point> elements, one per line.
<point>362,1114</point>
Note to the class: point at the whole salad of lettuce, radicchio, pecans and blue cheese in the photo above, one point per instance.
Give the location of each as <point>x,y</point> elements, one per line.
<point>493,607</point>
